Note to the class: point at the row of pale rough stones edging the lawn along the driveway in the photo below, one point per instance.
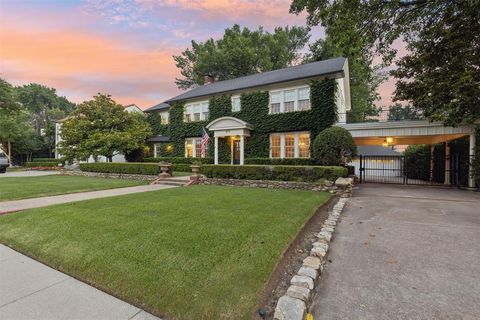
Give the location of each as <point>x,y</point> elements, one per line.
<point>293,305</point>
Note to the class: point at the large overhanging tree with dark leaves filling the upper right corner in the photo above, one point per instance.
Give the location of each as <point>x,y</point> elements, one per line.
<point>373,26</point>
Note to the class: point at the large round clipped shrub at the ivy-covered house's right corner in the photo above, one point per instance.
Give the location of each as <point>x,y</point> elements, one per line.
<point>334,147</point>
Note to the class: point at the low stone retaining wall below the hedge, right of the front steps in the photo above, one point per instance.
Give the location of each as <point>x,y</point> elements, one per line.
<point>325,186</point>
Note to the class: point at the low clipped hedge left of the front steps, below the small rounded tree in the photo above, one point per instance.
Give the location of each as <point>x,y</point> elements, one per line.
<point>126,168</point>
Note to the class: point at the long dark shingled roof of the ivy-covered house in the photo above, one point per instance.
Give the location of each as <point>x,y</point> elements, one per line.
<point>303,71</point>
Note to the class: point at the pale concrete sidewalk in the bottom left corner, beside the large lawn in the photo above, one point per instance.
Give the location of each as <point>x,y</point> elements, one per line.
<point>31,290</point>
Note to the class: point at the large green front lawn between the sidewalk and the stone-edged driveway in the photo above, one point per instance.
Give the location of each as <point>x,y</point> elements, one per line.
<point>201,252</point>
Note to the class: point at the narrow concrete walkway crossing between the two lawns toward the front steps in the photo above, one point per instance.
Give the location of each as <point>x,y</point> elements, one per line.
<point>17,205</point>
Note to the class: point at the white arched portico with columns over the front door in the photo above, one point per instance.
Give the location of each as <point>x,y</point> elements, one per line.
<point>234,129</point>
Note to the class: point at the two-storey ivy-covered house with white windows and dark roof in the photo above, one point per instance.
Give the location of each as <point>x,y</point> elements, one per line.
<point>274,114</point>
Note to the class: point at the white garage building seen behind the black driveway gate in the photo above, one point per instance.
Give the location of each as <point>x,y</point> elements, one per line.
<point>382,161</point>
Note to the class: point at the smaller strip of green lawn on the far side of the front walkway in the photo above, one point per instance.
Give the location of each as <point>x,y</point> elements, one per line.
<point>14,188</point>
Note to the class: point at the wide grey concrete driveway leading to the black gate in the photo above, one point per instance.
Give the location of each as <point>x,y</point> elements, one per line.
<point>404,253</point>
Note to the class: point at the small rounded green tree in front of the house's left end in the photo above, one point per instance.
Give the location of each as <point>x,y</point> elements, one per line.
<point>102,127</point>
